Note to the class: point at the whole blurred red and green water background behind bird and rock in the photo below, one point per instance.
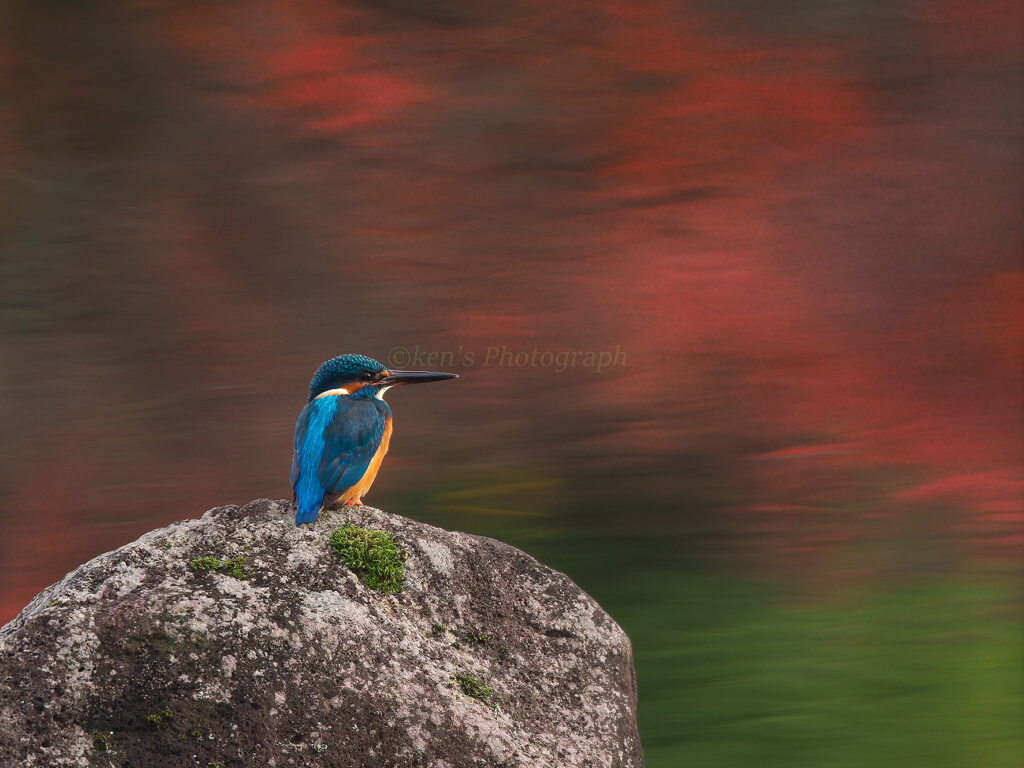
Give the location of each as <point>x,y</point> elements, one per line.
<point>799,489</point>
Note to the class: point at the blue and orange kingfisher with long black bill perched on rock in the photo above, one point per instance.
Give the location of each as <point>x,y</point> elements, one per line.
<point>345,432</point>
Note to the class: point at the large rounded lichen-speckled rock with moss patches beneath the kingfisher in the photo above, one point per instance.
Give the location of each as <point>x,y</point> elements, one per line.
<point>150,657</point>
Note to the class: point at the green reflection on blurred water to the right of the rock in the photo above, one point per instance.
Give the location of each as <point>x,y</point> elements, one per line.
<point>737,672</point>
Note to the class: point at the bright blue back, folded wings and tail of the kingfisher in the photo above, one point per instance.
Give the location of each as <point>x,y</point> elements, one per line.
<point>335,441</point>
